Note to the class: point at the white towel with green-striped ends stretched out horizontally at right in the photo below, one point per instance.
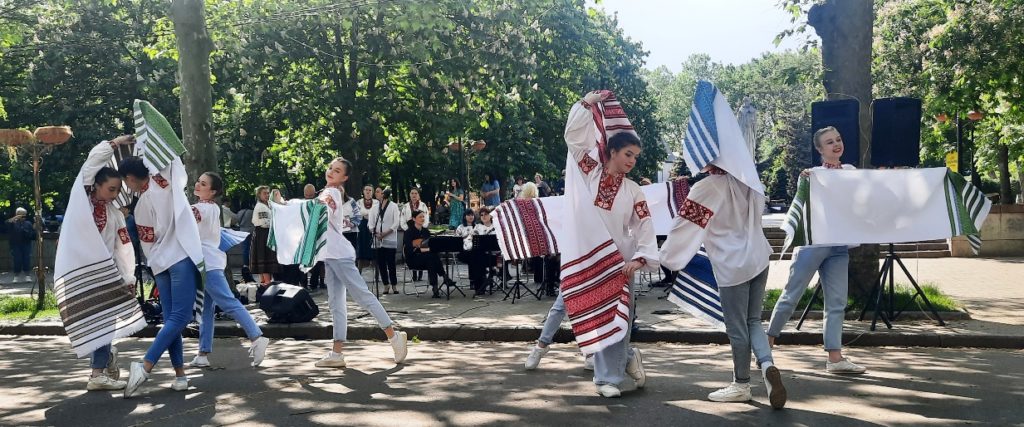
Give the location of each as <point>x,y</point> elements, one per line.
<point>888,206</point>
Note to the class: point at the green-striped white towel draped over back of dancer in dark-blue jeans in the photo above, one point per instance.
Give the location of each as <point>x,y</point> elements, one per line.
<point>161,151</point>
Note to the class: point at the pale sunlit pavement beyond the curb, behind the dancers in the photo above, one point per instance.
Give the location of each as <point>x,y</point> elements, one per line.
<point>991,290</point>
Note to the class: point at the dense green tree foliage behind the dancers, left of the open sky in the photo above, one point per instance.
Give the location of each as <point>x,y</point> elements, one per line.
<point>387,84</point>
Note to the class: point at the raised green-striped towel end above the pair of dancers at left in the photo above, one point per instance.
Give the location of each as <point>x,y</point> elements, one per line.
<point>155,140</point>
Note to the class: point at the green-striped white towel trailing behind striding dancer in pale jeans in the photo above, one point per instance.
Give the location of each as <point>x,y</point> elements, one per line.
<point>298,232</point>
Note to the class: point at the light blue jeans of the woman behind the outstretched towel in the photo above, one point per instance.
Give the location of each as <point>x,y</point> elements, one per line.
<point>832,264</point>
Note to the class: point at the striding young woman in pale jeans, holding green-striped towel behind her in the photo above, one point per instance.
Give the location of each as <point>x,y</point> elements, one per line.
<point>343,276</point>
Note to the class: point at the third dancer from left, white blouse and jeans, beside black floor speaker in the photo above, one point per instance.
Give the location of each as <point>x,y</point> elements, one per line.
<point>208,189</point>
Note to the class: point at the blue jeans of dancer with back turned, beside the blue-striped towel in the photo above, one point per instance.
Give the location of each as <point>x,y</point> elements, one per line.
<point>742,306</point>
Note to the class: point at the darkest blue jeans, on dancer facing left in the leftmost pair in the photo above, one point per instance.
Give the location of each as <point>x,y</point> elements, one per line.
<point>178,295</point>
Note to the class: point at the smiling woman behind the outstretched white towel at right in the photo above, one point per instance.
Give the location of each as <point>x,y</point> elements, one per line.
<point>832,264</point>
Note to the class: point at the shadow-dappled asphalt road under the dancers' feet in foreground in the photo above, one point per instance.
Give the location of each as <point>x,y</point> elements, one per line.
<point>484,385</point>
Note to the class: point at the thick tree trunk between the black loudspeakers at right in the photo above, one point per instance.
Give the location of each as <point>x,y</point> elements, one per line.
<point>845,28</point>
